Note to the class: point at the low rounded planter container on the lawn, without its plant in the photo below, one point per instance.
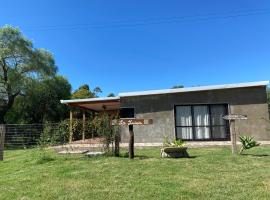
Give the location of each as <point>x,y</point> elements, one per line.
<point>174,152</point>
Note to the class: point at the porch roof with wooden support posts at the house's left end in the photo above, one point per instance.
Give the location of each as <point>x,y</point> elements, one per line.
<point>110,105</point>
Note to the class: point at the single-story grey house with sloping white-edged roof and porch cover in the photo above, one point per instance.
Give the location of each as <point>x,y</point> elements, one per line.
<point>192,113</point>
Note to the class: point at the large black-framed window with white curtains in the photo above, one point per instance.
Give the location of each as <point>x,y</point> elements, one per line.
<point>201,122</point>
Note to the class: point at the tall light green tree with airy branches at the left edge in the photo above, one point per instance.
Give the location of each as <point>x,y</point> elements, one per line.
<point>20,63</point>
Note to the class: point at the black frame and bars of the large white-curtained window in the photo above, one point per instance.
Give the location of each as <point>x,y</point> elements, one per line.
<point>210,126</point>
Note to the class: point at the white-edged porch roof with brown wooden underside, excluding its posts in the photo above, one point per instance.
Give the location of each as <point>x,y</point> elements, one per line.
<point>95,104</point>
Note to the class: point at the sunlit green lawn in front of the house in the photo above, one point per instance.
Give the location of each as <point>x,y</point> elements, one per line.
<point>213,173</point>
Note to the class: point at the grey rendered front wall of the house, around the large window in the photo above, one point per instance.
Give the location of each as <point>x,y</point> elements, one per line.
<point>250,101</point>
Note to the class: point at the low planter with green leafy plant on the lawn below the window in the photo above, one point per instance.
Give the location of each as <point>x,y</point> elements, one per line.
<point>174,149</point>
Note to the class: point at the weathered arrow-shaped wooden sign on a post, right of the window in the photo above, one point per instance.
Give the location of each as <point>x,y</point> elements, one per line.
<point>231,118</point>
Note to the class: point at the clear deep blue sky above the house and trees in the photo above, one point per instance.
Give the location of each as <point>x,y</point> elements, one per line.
<point>124,46</point>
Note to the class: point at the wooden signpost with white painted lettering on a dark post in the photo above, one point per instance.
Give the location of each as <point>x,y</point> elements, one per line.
<point>130,122</point>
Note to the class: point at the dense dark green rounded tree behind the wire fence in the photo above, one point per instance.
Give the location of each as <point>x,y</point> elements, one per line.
<point>41,102</point>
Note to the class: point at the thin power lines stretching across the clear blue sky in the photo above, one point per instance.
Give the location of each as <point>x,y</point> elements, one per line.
<point>154,21</point>
